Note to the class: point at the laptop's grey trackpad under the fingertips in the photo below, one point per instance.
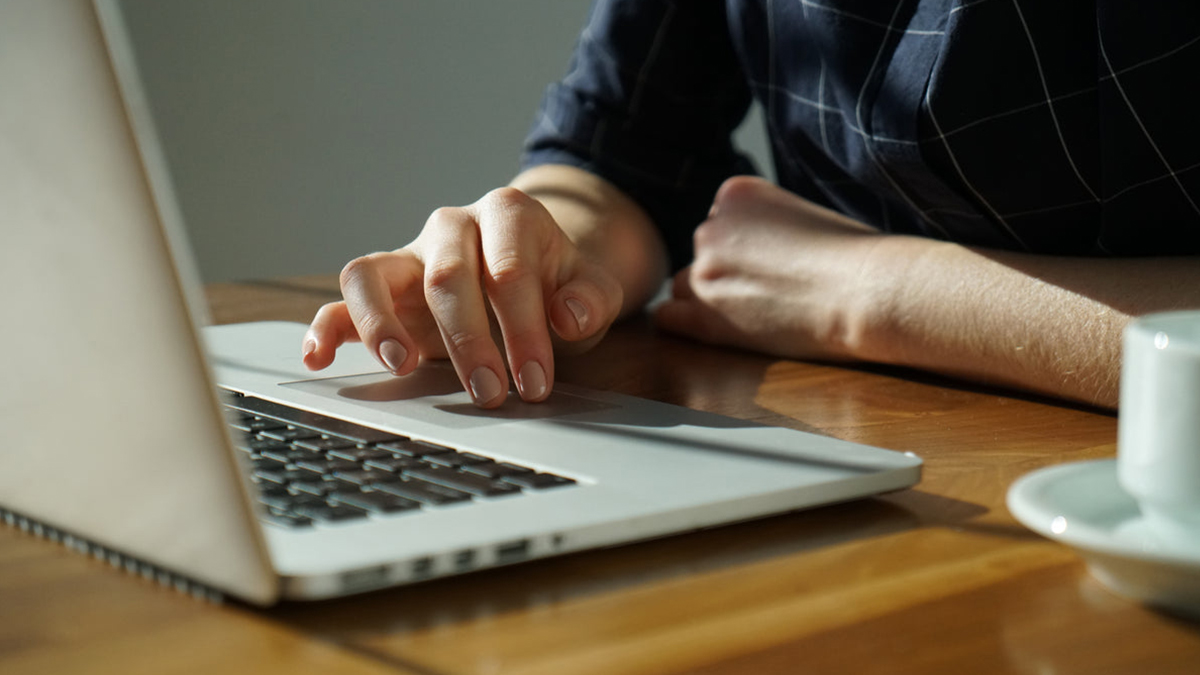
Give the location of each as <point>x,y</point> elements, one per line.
<point>433,393</point>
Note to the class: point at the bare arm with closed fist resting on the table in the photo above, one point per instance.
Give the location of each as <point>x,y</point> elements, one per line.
<point>782,276</point>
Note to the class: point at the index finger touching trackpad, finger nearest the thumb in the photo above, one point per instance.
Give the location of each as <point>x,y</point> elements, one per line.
<point>512,229</point>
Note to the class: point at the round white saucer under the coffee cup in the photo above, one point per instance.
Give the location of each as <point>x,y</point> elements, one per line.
<point>1083,506</point>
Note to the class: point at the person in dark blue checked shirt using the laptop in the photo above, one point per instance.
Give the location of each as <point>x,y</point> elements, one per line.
<point>985,189</point>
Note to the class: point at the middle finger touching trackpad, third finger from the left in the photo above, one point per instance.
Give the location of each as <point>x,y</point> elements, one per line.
<point>453,292</point>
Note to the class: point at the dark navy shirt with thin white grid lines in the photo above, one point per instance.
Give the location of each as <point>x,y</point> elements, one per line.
<point>1057,127</point>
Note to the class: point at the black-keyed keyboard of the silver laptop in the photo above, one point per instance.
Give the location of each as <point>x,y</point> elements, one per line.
<point>315,469</point>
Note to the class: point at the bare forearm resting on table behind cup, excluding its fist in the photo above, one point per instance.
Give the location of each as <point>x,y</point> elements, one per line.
<point>1042,324</point>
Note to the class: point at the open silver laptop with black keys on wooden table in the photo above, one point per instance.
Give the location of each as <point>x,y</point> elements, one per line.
<point>208,458</point>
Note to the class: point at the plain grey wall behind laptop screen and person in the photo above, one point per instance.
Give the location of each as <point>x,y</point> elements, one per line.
<point>302,134</point>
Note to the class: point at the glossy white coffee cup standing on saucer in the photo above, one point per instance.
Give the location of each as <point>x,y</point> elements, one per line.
<point>1159,428</point>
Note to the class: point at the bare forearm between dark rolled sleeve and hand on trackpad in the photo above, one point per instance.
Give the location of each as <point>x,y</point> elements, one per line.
<point>605,225</point>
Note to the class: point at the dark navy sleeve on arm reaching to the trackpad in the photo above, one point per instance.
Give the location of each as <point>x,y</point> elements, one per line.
<point>651,100</point>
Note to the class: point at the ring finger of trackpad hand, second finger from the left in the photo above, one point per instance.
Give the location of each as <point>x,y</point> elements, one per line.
<point>370,286</point>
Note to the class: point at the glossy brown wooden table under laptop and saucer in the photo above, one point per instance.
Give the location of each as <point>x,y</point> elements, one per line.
<point>937,580</point>
